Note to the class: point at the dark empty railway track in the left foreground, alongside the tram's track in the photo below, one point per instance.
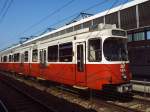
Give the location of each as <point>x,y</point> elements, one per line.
<point>19,97</point>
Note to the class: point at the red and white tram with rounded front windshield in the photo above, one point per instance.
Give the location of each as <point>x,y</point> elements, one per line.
<point>92,58</point>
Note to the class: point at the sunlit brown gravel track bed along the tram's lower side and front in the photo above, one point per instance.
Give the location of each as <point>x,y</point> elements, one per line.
<point>101,103</point>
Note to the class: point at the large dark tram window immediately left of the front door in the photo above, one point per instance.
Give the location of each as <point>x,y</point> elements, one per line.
<point>65,52</point>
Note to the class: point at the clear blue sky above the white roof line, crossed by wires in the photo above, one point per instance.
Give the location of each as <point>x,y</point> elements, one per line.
<point>24,13</point>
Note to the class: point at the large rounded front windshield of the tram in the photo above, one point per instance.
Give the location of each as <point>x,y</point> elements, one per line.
<point>115,49</point>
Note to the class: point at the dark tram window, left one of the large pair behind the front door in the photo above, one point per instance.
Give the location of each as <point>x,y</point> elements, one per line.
<point>53,53</point>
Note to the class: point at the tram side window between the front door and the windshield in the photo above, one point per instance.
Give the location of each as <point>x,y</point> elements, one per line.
<point>94,50</point>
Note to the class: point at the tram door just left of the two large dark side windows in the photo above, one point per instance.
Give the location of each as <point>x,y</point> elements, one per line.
<point>42,62</point>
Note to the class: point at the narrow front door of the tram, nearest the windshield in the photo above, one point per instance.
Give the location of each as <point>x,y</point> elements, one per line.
<point>80,64</point>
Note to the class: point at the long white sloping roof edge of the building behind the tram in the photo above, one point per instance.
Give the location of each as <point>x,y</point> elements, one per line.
<point>120,7</point>
